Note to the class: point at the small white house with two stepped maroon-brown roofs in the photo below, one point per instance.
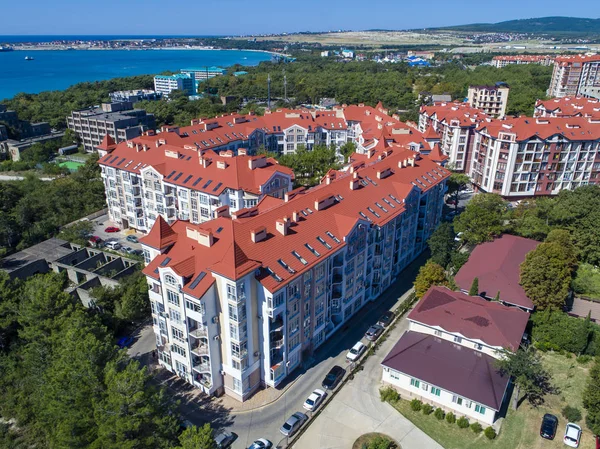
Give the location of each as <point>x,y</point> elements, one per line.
<point>447,357</point>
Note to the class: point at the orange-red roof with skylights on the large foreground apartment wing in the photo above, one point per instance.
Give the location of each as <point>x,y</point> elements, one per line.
<point>234,253</point>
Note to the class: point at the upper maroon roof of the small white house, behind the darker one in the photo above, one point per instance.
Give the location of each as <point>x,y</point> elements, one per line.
<point>471,316</point>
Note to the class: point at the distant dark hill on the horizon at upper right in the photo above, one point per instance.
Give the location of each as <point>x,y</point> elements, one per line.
<point>542,25</point>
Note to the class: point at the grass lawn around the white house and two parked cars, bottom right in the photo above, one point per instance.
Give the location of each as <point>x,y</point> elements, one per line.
<point>520,429</point>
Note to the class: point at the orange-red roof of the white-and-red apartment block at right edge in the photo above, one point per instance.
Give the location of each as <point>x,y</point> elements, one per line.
<point>524,128</point>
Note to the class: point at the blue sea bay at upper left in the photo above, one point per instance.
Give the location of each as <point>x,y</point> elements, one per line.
<point>59,69</point>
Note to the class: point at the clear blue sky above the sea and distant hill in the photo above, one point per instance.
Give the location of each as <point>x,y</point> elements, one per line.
<point>237,17</point>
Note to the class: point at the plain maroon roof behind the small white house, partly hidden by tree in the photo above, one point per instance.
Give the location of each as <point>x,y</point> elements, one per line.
<point>497,266</point>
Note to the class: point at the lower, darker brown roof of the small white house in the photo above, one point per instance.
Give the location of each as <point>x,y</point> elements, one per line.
<point>454,368</point>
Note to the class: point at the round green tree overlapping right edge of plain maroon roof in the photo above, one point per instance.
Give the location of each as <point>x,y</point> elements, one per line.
<point>546,275</point>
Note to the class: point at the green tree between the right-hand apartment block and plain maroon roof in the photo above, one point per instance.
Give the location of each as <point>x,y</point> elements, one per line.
<point>482,219</point>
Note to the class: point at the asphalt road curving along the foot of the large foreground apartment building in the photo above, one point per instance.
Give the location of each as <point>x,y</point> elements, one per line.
<point>266,421</point>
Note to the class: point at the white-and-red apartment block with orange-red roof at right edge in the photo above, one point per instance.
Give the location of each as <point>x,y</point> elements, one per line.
<point>526,156</point>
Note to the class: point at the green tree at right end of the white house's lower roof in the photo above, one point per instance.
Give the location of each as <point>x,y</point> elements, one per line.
<point>530,377</point>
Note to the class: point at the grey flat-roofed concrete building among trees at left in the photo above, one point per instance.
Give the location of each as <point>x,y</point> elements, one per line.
<point>119,120</point>
